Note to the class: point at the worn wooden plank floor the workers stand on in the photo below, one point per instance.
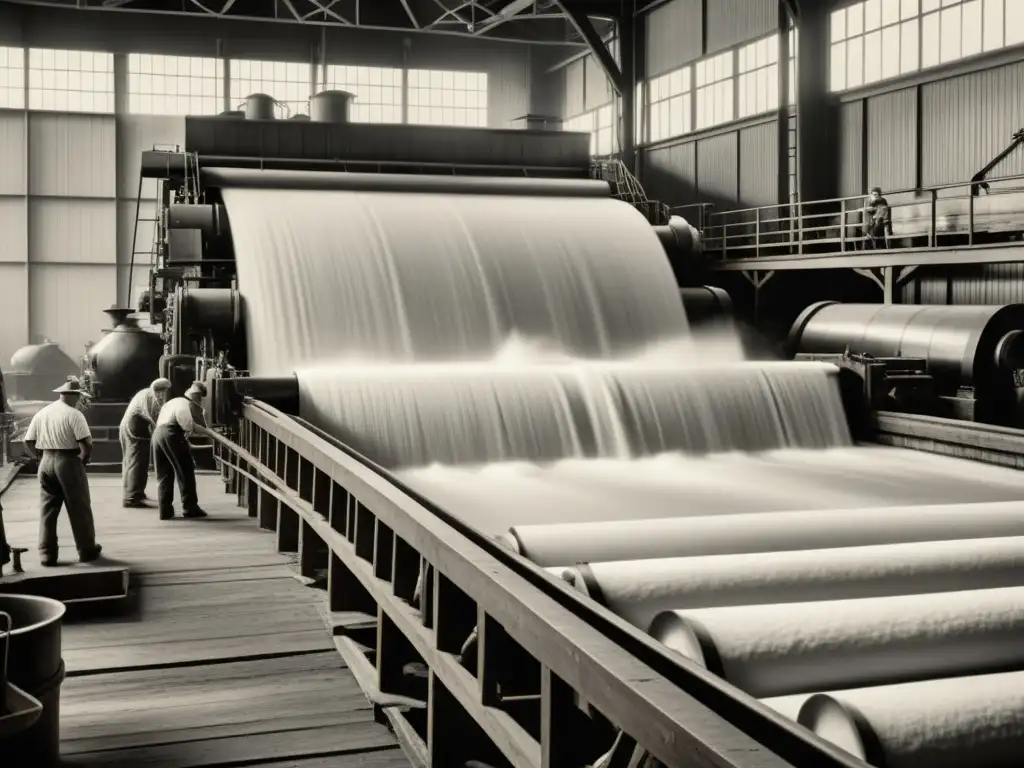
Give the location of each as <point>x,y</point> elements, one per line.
<point>223,658</point>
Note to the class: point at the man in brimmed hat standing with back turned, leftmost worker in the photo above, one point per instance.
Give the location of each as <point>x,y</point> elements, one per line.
<point>60,434</point>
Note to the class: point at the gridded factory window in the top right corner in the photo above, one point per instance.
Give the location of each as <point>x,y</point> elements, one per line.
<point>957,29</point>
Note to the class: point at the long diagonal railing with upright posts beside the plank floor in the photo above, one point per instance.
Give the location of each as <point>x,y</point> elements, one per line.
<point>542,651</point>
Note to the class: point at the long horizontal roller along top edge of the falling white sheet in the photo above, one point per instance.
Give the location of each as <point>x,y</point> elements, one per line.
<point>394,183</point>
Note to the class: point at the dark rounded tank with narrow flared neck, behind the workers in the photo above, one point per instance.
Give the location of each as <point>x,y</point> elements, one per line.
<point>125,361</point>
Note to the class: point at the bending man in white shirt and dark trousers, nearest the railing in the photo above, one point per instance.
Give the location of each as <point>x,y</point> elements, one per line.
<point>180,418</point>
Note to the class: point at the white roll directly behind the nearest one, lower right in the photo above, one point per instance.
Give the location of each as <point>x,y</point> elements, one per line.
<point>779,651</point>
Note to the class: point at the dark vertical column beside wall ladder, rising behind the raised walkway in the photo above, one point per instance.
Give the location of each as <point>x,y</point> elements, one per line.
<point>818,109</point>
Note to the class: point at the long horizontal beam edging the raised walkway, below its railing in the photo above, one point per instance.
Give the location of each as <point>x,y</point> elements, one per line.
<point>994,254</point>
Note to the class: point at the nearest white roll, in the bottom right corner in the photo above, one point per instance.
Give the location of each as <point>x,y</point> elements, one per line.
<point>974,721</point>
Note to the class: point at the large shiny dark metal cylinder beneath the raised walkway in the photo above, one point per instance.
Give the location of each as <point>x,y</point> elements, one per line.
<point>965,348</point>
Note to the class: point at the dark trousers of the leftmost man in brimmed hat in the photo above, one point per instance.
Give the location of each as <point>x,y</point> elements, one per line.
<point>63,483</point>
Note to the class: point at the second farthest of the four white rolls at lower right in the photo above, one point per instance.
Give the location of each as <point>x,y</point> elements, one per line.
<point>639,590</point>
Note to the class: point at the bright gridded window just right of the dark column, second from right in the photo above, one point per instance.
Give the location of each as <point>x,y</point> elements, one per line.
<point>874,40</point>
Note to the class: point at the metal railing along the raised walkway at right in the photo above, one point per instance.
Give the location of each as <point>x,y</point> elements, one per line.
<point>947,215</point>
